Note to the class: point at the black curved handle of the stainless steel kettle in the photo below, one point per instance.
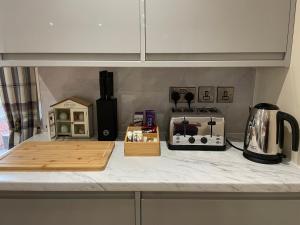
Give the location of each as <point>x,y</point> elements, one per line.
<point>281,117</point>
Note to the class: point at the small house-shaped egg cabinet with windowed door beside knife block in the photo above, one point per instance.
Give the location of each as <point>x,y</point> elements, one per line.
<point>71,117</point>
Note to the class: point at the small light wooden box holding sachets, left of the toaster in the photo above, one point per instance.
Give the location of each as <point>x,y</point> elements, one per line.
<point>142,148</point>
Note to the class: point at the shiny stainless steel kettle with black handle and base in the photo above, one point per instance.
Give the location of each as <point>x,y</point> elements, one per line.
<point>264,136</point>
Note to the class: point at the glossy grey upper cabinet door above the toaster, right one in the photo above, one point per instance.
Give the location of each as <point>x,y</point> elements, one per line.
<point>217,26</point>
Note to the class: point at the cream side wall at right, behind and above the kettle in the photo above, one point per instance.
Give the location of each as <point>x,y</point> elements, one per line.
<point>281,85</point>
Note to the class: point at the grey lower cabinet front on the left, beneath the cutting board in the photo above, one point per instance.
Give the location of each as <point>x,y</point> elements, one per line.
<point>94,211</point>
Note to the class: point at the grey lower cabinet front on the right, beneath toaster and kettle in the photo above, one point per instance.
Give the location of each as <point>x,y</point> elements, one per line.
<point>220,212</point>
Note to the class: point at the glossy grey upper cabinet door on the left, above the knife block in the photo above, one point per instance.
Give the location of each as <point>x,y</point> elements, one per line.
<point>70,26</point>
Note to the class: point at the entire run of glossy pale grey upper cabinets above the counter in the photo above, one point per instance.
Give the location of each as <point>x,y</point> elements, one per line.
<point>146,33</point>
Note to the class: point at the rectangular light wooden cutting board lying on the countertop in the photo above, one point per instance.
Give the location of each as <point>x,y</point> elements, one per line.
<point>58,155</point>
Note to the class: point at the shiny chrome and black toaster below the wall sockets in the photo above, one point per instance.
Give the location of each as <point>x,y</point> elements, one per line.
<point>197,129</point>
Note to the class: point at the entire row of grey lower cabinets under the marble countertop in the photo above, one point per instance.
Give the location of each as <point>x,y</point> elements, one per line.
<point>118,208</point>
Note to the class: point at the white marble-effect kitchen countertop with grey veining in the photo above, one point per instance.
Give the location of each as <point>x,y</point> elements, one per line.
<point>183,171</point>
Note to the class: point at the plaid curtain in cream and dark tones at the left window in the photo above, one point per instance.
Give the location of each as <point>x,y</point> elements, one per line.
<point>18,93</point>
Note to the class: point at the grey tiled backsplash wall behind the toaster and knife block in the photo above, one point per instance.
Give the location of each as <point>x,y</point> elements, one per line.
<point>148,88</point>
